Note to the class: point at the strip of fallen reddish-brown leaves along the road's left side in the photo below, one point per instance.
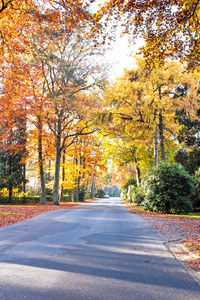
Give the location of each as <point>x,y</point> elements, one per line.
<point>10,214</point>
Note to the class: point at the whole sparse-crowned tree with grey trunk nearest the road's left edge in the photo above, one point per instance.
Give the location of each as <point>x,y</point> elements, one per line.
<point>68,71</point>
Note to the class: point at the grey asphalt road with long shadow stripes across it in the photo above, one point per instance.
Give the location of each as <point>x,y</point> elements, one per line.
<point>95,251</point>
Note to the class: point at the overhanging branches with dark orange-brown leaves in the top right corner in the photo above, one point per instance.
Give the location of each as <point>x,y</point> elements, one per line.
<point>169,28</point>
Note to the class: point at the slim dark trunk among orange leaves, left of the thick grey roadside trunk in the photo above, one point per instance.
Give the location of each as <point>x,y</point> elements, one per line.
<point>41,165</point>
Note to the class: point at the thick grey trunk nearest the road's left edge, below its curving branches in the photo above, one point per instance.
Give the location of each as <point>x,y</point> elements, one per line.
<point>57,166</point>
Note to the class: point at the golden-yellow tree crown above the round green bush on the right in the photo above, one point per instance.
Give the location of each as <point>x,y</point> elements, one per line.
<point>144,101</point>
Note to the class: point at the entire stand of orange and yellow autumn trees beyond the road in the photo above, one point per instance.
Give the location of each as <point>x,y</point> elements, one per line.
<point>67,132</point>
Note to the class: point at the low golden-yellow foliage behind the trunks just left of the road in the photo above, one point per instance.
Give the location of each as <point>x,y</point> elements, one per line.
<point>79,165</point>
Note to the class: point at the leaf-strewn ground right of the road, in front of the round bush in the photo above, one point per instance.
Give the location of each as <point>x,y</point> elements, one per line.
<point>183,234</point>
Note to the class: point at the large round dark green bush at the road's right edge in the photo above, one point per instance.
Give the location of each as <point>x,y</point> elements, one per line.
<point>168,188</point>
